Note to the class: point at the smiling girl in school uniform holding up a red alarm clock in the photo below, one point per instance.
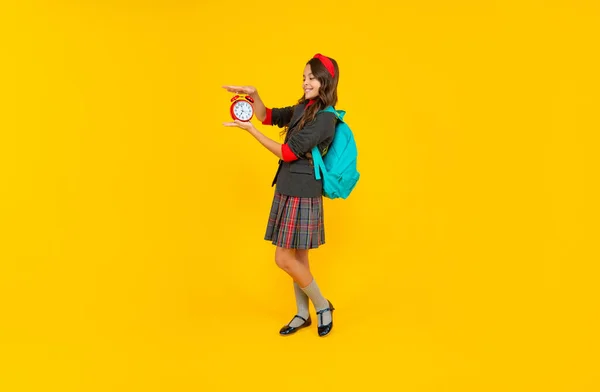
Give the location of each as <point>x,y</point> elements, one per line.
<point>295,223</point>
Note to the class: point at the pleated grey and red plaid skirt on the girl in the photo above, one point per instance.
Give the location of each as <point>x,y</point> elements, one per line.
<point>296,222</point>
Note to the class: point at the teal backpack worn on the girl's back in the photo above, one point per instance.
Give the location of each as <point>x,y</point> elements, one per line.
<point>338,166</point>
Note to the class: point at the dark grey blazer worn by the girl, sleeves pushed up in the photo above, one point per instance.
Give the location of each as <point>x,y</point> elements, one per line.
<point>297,178</point>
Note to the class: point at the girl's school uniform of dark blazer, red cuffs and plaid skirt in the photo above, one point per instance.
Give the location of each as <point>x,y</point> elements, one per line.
<point>296,216</point>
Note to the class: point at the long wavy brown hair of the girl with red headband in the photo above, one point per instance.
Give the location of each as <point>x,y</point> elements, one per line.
<point>327,91</point>
